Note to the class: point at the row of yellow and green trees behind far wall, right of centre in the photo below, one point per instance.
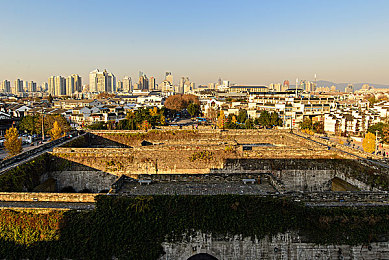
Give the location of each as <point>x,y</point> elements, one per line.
<point>242,121</point>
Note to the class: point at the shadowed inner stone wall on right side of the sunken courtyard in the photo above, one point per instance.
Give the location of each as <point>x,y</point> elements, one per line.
<point>314,174</point>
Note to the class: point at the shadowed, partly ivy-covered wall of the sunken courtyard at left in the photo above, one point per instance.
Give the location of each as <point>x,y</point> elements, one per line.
<point>48,173</point>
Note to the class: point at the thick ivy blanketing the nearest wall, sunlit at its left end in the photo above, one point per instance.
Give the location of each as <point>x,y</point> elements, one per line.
<point>135,227</point>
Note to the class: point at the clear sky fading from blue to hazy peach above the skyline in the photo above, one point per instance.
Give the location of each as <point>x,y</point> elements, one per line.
<point>247,42</point>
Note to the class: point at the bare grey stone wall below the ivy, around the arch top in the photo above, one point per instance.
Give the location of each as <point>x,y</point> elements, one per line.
<point>281,246</point>
